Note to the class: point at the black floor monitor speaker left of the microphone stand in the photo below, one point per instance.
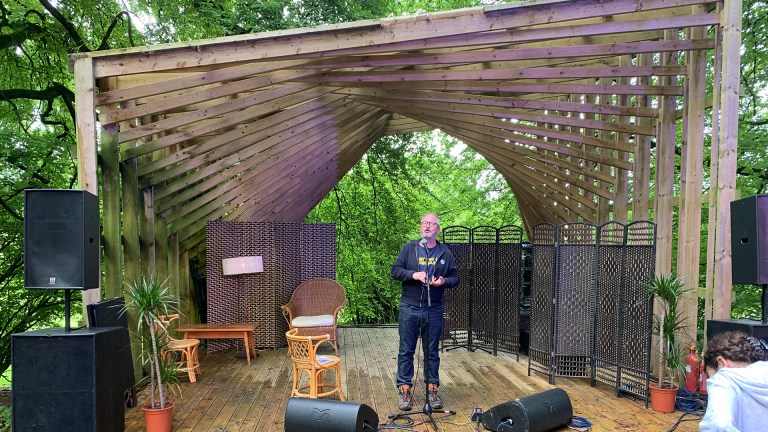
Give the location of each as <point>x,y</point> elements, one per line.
<point>328,415</point>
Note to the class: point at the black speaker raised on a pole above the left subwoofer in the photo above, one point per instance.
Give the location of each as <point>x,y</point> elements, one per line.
<point>61,239</point>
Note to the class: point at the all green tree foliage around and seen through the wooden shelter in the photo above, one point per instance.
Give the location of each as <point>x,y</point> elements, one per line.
<point>376,206</point>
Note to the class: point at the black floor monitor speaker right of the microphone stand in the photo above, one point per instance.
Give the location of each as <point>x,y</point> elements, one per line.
<point>540,412</point>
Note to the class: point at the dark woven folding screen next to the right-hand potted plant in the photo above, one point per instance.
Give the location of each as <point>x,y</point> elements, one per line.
<point>591,315</point>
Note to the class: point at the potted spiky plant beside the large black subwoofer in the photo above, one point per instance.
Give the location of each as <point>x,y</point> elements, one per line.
<point>150,298</point>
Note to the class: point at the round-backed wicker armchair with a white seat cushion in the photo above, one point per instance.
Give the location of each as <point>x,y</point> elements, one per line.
<point>314,308</point>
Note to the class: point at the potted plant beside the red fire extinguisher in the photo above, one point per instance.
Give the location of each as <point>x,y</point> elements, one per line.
<point>667,290</point>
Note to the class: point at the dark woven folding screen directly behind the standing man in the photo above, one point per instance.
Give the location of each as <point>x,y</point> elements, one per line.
<point>483,311</point>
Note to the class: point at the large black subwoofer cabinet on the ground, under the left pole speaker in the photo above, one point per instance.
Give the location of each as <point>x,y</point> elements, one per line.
<point>67,381</point>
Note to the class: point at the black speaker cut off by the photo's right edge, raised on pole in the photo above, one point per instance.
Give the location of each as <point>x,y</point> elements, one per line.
<point>749,240</point>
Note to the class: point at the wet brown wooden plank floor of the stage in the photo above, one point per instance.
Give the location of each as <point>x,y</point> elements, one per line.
<point>232,396</point>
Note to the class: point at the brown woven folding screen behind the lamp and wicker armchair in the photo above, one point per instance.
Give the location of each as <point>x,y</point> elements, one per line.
<point>292,252</point>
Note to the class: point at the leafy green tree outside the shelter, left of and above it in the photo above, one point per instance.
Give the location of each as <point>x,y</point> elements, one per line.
<point>37,114</point>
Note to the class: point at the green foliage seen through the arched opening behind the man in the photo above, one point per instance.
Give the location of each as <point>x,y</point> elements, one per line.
<point>378,204</point>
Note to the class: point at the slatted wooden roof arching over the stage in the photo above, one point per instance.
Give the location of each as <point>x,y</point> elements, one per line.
<point>560,96</point>
